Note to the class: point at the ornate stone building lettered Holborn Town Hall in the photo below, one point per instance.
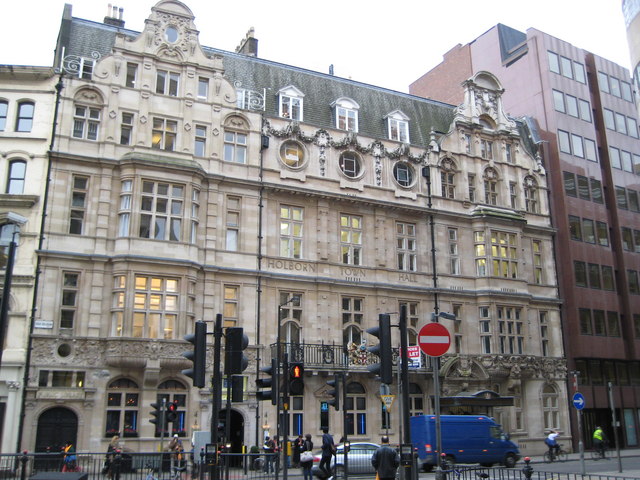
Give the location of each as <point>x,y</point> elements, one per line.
<point>188,181</point>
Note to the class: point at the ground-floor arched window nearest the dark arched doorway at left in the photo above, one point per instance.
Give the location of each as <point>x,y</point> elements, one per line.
<point>122,408</point>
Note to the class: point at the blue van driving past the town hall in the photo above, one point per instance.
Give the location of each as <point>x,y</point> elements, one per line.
<point>465,439</point>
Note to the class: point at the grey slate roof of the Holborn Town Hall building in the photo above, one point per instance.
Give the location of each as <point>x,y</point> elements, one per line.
<point>83,37</point>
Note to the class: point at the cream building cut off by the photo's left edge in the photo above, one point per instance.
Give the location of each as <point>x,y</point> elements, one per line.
<point>27,99</point>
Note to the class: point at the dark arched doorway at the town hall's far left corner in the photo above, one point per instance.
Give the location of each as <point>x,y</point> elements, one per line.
<point>56,426</point>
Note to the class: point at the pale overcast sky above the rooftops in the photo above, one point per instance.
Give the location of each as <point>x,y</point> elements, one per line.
<point>384,43</point>
